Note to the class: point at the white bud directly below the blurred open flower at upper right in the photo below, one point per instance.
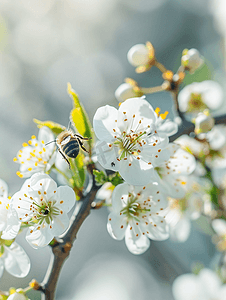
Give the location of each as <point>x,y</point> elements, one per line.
<point>204,122</point>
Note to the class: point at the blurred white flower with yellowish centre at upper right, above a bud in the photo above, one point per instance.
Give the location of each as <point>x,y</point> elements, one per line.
<point>198,96</point>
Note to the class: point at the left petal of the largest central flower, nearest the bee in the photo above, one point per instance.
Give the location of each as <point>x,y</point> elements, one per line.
<point>104,122</point>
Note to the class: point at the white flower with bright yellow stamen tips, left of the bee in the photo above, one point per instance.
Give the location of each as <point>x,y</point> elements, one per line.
<point>34,156</point>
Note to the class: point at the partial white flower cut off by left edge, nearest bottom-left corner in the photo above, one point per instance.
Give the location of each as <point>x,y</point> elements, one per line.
<point>14,259</point>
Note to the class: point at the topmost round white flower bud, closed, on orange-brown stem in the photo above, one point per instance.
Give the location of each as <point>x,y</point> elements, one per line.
<point>138,55</point>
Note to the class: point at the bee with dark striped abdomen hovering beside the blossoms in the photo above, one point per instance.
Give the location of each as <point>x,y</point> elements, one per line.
<point>68,144</point>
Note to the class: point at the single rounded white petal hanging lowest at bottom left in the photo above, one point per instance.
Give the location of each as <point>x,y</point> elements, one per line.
<point>17,263</point>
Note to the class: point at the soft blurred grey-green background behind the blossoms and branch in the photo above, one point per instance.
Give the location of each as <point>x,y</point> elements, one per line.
<point>46,43</point>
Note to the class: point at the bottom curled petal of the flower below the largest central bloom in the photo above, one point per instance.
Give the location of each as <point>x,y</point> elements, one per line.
<point>138,245</point>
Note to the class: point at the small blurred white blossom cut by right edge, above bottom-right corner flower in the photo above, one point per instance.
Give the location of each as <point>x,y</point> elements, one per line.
<point>219,227</point>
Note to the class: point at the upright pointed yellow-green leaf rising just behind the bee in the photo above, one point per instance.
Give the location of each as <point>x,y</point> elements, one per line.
<point>79,117</point>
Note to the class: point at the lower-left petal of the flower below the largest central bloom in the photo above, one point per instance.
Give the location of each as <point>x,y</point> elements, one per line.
<point>116,225</point>
